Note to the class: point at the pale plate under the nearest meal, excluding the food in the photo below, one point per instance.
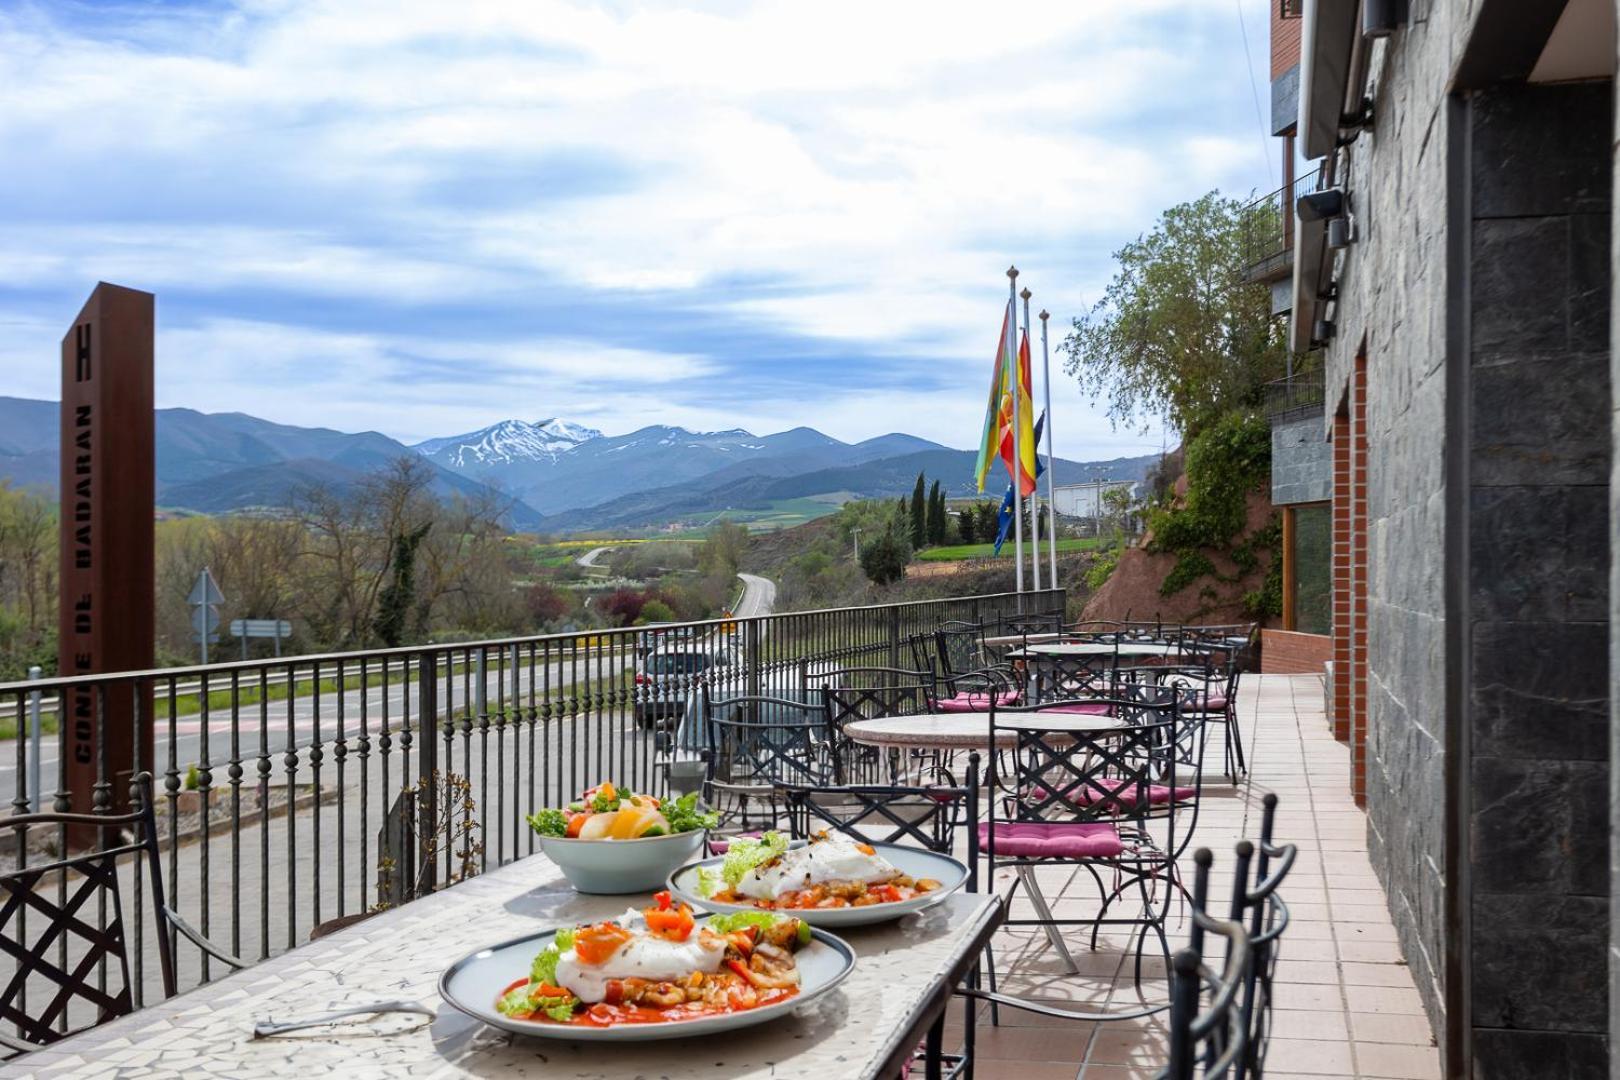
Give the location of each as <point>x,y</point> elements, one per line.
<point>475,984</point>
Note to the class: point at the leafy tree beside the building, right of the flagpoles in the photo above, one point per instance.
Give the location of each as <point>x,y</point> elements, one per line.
<point>1179,334</point>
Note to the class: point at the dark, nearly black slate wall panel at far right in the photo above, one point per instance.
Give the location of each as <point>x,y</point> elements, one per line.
<point>1540,462</point>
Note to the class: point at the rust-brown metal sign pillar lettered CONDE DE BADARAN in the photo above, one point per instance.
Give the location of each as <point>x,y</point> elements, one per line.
<point>108,493</point>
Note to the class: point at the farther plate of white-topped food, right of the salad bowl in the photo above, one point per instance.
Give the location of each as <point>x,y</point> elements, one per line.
<point>832,882</point>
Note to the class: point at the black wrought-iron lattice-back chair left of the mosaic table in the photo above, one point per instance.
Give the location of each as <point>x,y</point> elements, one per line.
<point>92,969</point>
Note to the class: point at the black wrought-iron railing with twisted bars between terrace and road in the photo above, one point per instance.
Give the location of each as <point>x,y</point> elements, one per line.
<point>299,791</point>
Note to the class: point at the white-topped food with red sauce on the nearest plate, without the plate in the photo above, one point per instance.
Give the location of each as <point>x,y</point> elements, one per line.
<point>659,966</point>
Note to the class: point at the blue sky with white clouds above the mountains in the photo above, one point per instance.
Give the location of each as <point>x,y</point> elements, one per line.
<point>422,218</point>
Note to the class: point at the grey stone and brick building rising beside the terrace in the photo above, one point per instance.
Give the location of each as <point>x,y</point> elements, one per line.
<point>1449,281</point>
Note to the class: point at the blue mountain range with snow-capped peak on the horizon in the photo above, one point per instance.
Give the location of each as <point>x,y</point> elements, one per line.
<point>556,475</point>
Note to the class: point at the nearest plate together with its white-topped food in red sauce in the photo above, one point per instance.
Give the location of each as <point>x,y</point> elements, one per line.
<point>652,974</point>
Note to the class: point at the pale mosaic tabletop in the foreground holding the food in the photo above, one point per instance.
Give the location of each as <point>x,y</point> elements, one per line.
<point>903,972</point>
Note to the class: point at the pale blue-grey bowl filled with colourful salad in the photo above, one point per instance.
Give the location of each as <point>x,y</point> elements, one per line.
<point>618,841</point>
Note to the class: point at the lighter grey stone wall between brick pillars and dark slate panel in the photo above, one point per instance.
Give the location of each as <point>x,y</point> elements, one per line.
<point>1392,304</point>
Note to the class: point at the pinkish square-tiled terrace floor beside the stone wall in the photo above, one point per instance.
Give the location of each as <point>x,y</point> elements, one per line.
<point>1345,1000</point>
